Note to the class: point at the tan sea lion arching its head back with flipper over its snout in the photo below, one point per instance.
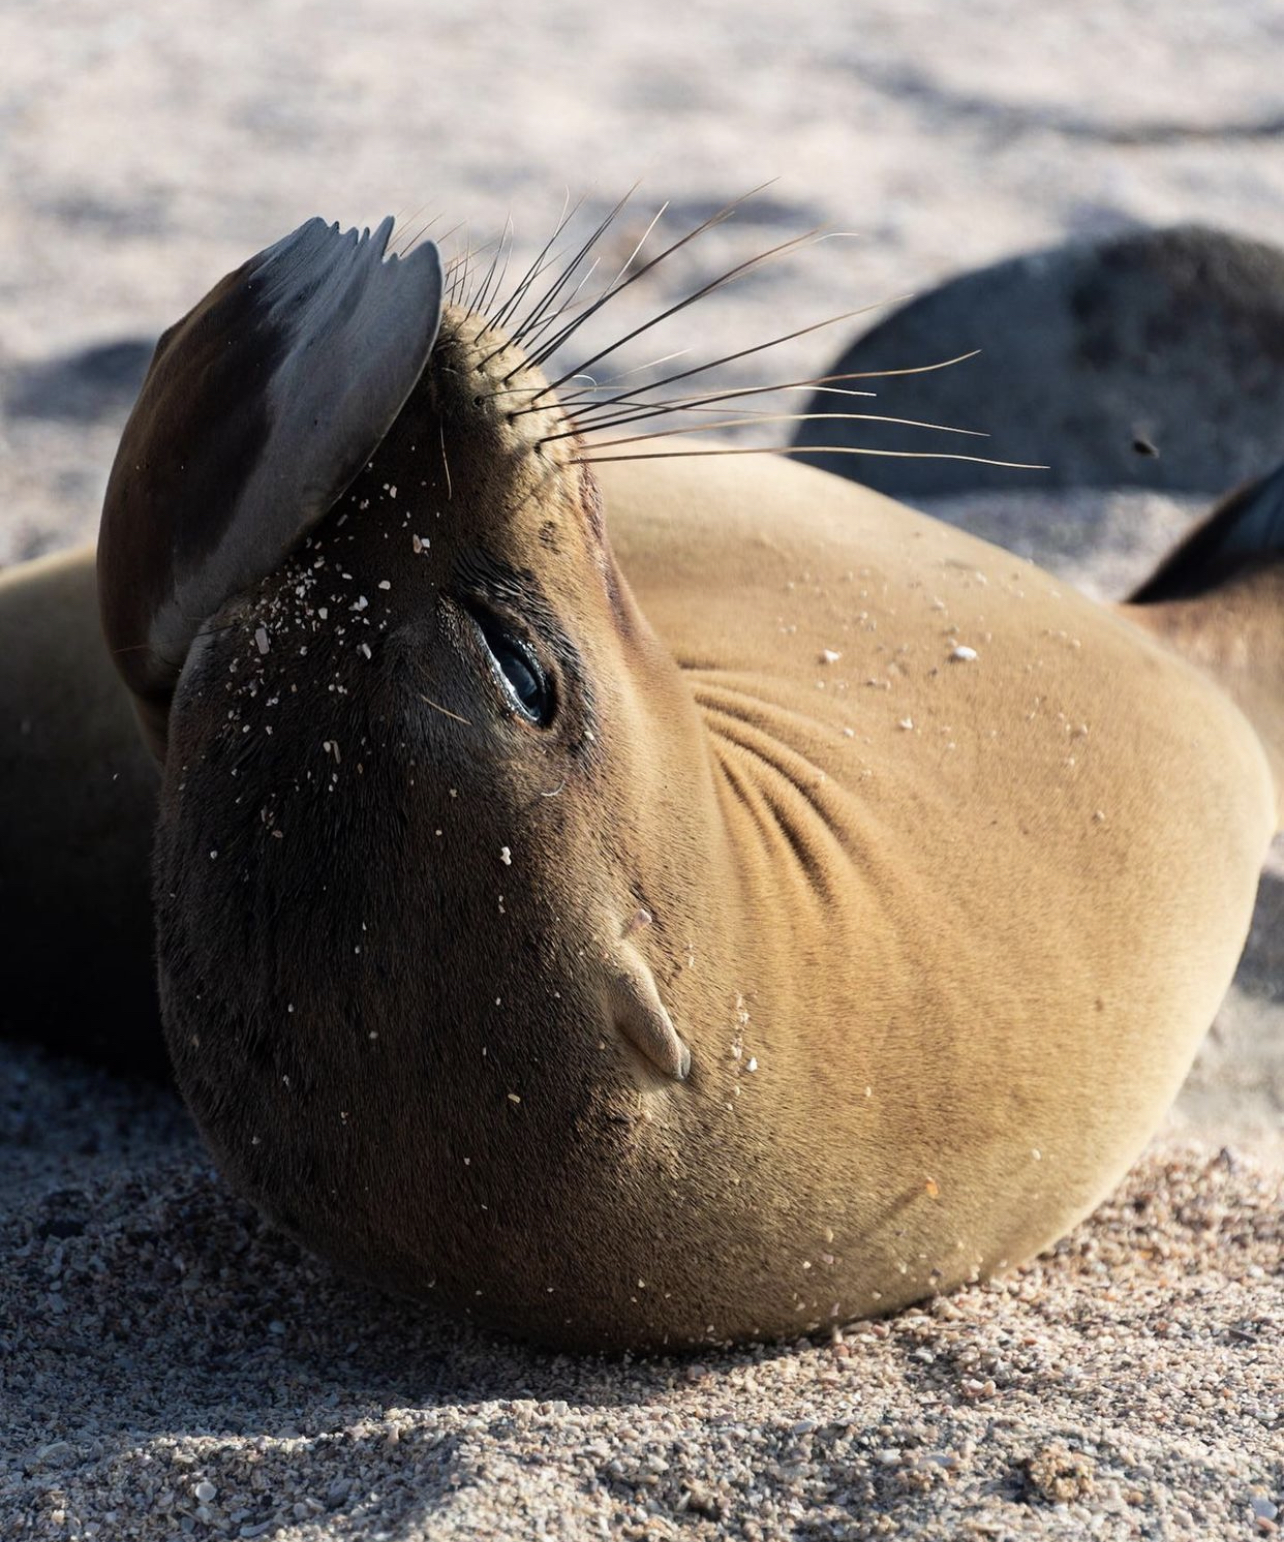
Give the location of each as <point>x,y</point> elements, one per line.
<point>767,914</point>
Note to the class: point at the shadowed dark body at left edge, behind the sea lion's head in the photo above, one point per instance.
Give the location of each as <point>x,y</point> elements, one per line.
<point>79,809</point>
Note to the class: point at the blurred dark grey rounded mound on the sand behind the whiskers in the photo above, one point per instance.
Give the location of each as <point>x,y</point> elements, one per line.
<point>1143,360</point>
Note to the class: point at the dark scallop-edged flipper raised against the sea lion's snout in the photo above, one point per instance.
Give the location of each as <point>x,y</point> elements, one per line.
<point>260,409</point>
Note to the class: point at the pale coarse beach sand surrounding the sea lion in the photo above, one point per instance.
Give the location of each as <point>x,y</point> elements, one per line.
<point>170,1367</point>
